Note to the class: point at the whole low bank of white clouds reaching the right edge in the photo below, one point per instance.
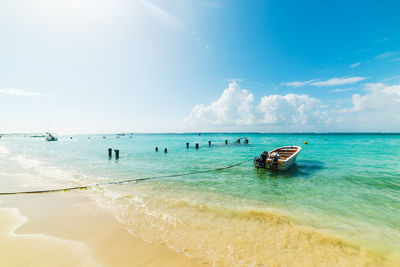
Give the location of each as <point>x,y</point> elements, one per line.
<point>377,110</point>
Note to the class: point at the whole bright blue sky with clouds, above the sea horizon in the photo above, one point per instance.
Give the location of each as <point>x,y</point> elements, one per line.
<point>106,66</point>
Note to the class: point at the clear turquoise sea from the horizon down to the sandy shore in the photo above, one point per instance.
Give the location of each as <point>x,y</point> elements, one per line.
<point>344,185</point>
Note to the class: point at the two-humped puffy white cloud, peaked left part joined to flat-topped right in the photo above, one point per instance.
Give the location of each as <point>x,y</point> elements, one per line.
<point>235,107</point>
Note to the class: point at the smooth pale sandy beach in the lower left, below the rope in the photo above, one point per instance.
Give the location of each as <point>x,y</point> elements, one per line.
<point>69,229</point>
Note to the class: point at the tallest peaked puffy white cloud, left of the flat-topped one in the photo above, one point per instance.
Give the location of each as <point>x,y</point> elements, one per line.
<point>232,108</point>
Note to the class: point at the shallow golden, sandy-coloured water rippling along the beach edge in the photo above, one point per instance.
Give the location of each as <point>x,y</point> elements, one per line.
<point>230,235</point>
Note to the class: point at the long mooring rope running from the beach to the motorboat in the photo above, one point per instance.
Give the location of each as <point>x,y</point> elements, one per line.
<point>121,182</point>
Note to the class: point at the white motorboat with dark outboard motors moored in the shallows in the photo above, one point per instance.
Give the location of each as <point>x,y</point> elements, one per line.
<point>281,158</point>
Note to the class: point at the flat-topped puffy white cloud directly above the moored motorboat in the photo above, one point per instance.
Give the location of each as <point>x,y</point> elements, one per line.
<point>290,109</point>
